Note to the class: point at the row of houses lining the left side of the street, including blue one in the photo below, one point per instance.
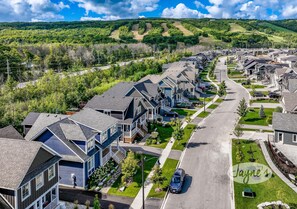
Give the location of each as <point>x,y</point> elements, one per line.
<point>65,150</point>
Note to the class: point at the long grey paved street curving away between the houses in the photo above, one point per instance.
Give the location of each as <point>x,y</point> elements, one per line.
<point>207,158</point>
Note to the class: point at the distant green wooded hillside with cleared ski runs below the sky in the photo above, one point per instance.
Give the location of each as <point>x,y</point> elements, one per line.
<point>160,32</point>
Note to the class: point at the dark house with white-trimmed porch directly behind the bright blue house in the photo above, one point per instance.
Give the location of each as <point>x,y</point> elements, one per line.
<point>130,112</point>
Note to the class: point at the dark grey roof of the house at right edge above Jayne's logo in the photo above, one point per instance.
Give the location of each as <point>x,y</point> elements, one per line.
<point>284,122</point>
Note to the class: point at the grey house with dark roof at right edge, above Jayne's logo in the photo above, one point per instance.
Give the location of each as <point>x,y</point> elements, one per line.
<point>285,128</point>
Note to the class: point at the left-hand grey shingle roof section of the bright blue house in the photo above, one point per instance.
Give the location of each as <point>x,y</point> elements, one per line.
<point>43,120</point>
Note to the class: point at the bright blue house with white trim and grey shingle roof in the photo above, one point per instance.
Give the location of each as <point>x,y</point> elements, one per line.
<point>86,140</point>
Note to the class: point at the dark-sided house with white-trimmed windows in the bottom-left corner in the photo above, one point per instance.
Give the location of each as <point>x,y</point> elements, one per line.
<point>29,175</point>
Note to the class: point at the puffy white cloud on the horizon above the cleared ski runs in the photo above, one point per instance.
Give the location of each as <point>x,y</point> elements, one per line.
<point>181,11</point>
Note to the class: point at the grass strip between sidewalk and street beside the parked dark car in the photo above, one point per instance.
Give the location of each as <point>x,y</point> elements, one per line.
<point>168,170</point>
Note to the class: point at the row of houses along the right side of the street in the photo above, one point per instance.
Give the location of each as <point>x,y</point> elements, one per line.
<point>278,70</point>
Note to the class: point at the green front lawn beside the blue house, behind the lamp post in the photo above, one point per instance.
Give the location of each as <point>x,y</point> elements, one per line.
<point>134,187</point>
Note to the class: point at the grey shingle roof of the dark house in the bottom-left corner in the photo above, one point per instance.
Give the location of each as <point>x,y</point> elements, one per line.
<point>16,159</point>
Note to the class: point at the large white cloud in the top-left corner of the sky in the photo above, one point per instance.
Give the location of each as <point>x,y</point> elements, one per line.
<point>31,10</point>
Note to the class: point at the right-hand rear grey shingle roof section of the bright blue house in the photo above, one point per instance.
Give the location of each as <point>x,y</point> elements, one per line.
<point>94,119</point>
